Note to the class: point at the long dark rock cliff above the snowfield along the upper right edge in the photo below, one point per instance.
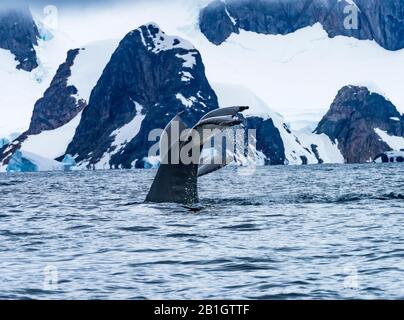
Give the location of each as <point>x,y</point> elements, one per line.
<point>378,20</point>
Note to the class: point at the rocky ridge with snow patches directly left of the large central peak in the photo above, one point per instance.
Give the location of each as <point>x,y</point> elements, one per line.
<point>57,114</point>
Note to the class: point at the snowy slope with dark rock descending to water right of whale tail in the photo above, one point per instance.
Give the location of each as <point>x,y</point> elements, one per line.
<point>285,146</point>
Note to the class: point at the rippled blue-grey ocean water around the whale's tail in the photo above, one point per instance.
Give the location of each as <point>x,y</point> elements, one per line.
<point>307,232</point>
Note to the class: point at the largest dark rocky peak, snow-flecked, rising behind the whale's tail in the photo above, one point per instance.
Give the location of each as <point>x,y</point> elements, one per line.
<point>162,74</point>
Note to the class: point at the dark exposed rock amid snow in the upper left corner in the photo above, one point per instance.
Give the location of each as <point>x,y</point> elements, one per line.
<point>19,34</point>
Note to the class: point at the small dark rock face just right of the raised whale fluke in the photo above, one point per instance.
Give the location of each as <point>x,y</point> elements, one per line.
<point>269,140</point>
